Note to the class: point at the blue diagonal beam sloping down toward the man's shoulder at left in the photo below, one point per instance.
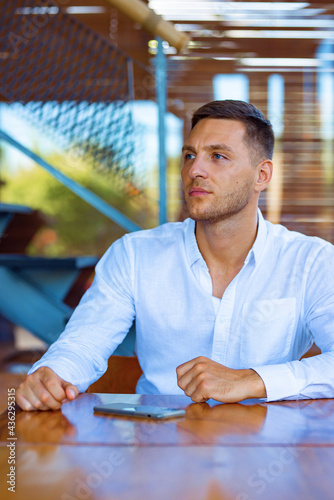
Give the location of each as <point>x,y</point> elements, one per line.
<point>81,191</point>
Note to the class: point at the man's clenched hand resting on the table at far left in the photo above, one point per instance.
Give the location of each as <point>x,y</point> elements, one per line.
<point>44,390</point>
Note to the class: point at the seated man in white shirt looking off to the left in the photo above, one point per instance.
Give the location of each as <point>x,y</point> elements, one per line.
<point>225,302</point>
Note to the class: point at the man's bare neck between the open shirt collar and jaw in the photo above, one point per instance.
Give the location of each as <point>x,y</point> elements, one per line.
<point>226,243</point>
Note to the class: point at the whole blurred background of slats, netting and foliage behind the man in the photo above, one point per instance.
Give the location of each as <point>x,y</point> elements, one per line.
<point>79,91</point>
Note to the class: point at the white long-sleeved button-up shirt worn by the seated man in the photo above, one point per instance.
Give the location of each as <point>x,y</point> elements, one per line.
<point>278,304</point>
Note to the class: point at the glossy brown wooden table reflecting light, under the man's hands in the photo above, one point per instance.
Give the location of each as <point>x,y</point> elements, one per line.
<point>276,451</point>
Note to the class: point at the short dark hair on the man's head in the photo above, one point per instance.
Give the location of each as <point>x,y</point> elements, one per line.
<point>259,131</point>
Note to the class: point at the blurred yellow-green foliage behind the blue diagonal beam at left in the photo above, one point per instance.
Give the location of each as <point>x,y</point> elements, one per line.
<point>73,226</point>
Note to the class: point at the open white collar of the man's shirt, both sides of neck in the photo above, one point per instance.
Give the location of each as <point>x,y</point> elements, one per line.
<point>256,251</point>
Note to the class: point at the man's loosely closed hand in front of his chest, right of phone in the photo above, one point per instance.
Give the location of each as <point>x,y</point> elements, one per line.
<point>201,379</point>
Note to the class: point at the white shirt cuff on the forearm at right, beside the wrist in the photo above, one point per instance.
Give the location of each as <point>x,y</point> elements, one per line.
<point>279,380</point>
